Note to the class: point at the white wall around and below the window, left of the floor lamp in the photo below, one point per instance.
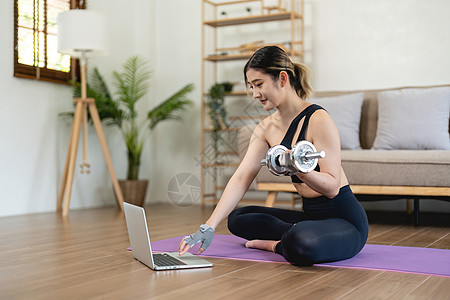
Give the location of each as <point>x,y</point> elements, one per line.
<point>29,132</point>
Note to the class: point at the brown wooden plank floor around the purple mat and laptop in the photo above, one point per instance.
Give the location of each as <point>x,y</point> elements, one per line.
<point>45,256</point>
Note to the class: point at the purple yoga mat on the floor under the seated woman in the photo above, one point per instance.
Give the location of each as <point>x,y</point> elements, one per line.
<point>417,260</point>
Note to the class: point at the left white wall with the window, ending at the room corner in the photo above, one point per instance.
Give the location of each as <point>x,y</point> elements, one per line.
<point>34,139</point>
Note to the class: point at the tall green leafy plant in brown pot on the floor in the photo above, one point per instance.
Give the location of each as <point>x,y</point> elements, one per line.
<point>119,109</point>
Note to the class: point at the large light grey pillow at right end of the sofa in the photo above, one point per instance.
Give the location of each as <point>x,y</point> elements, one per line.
<point>414,119</point>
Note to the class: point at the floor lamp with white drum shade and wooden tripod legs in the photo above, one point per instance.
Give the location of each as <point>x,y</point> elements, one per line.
<point>82,34</point>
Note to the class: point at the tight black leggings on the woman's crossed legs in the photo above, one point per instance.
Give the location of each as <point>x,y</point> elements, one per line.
<point>327,229</point>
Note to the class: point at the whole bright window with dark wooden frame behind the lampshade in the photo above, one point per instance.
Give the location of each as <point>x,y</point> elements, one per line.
<point>35,45</point>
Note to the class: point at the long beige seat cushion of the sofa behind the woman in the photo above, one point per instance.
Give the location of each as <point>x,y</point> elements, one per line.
<point>397,167</point>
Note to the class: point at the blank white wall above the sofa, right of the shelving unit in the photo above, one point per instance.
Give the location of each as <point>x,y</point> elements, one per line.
<point>378,44</point>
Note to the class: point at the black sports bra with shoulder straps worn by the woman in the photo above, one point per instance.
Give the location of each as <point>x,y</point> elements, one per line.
<point>287,140</point>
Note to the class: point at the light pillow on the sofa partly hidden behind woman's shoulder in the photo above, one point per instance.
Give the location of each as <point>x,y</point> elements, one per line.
<point>345,111</point>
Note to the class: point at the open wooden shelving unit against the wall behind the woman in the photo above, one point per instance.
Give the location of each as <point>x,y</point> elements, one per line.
<point>220,161</point>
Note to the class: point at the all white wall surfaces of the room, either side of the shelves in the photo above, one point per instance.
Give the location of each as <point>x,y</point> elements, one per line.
<point>351,44</point>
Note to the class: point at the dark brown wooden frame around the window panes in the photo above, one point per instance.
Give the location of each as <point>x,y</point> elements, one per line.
<point>44,74</point>
